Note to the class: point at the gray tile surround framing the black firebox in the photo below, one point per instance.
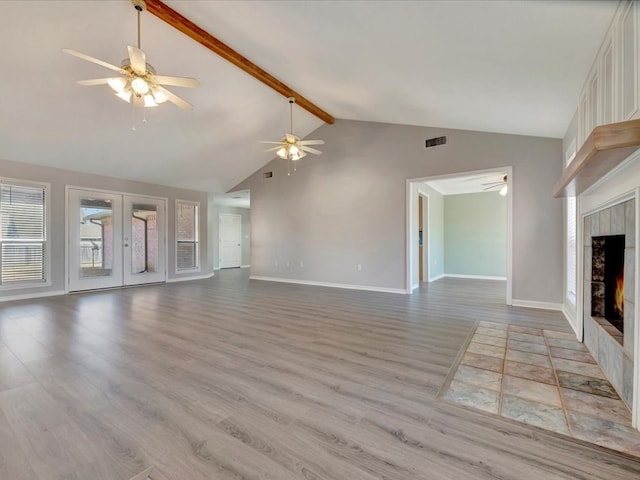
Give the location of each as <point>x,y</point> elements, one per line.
<point>615,356</point>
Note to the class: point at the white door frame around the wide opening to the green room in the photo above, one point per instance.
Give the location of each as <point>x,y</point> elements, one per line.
<point>410,214</point>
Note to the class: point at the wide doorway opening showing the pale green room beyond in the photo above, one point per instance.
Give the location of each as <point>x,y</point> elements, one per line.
<point>459,225</point>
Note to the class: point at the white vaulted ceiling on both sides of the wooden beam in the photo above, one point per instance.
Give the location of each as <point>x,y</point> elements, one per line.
<point>512,67</point>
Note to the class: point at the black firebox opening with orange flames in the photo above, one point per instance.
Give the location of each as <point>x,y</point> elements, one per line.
<point>607,279</point>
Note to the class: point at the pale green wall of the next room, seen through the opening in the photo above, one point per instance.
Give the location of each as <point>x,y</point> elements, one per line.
<point>475,234</point>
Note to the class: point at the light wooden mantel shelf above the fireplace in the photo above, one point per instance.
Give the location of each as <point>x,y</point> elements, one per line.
<point>606,147</point>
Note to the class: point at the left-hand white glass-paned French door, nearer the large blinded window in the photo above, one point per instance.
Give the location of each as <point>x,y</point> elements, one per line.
<point>95,239</point>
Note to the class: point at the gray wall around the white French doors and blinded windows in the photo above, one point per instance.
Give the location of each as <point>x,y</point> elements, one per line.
<point>59,178</point>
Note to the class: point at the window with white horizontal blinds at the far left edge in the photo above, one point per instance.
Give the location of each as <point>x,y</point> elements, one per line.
<point>23,233</point>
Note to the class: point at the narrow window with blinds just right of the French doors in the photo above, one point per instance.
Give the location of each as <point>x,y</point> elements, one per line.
<point>187,238</point>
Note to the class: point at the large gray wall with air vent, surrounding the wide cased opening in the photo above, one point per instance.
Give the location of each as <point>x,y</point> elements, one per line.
<point>347,206</point>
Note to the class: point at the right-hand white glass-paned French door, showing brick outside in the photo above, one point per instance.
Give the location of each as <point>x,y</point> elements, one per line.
<point>144,240</point>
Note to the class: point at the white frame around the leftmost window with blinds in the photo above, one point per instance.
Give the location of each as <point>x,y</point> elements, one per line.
<point>29,284</point>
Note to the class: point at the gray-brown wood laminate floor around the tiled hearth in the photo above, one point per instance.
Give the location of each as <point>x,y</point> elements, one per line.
<point>235,379</point>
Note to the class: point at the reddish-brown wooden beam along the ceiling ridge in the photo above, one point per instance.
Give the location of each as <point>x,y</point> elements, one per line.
<point>186,26</point>
